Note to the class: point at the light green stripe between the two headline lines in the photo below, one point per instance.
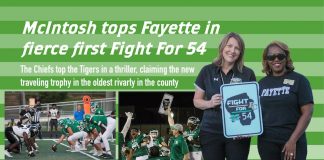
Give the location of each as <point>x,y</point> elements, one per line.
<point>251,40</point>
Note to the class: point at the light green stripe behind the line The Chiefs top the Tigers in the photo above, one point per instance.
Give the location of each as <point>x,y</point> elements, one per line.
<point>304,68</point>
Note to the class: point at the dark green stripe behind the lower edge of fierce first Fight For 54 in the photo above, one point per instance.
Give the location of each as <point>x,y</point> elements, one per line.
<point>251,55</point>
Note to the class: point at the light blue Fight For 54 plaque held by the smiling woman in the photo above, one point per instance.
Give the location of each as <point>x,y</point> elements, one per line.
<point>241,110</point>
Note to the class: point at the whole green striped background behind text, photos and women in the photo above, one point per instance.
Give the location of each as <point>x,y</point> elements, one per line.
<point>300,24</point>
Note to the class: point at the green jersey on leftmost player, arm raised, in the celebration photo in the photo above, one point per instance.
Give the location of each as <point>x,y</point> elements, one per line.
<point>135,144</point>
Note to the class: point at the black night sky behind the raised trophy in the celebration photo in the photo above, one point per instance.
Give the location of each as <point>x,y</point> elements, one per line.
<point>146,105</point>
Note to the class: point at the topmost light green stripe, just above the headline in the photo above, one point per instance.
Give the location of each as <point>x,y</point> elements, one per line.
<point>163,13</point>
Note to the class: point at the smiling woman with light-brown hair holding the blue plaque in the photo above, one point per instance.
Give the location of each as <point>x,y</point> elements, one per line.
<point>227,68</point>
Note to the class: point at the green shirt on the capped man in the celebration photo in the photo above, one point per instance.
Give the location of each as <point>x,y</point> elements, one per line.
<point>178,147</point>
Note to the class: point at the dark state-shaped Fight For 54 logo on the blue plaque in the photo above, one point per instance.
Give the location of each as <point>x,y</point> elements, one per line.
<point>241,108</point>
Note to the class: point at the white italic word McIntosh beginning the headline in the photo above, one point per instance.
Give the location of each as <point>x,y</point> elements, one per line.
<point>57,28</point>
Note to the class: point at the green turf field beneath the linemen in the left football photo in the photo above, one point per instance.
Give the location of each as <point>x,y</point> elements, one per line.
<point>45,152</point>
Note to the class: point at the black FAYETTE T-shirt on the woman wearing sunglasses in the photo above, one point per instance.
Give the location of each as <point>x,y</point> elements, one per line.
<point>281,98</point>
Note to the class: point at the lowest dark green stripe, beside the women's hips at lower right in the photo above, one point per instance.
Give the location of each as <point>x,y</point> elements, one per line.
<point>313,138</point>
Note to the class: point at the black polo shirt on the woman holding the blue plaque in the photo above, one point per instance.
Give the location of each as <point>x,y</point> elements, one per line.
<point>209,80</point>
